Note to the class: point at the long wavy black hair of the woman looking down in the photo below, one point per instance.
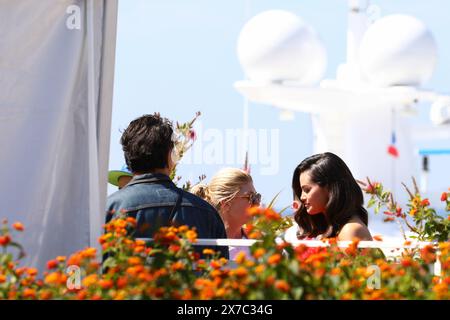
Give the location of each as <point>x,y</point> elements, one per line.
<point>345,196</point>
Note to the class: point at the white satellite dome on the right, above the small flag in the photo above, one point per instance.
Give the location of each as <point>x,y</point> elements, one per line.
<point>398,50</point>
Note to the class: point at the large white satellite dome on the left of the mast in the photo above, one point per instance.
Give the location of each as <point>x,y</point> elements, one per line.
<point>277,45</point>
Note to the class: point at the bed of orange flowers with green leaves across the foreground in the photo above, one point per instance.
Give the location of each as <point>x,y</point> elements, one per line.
<point>170,269</point>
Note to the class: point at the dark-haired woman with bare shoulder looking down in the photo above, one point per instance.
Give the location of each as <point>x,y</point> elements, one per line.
<point>329,200</point>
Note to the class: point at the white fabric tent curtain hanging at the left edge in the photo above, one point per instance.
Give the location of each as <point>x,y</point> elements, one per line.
<point>56,88</point>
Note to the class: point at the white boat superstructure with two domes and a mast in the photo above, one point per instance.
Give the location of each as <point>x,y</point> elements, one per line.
<point>369,106</point>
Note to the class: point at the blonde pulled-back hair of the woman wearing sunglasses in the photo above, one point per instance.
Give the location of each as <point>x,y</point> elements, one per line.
<point>224,186</point>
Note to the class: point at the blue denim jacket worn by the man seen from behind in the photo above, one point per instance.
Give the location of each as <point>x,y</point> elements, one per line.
<point>151,203</point>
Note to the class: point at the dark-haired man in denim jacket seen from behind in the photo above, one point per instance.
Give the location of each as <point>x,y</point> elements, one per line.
<point>151,197</point>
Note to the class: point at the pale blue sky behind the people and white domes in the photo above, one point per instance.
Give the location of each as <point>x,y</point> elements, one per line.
<point>177,57</point>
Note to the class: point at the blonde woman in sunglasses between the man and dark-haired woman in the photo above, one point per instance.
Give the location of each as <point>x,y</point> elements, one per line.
<point>231,192</point>
